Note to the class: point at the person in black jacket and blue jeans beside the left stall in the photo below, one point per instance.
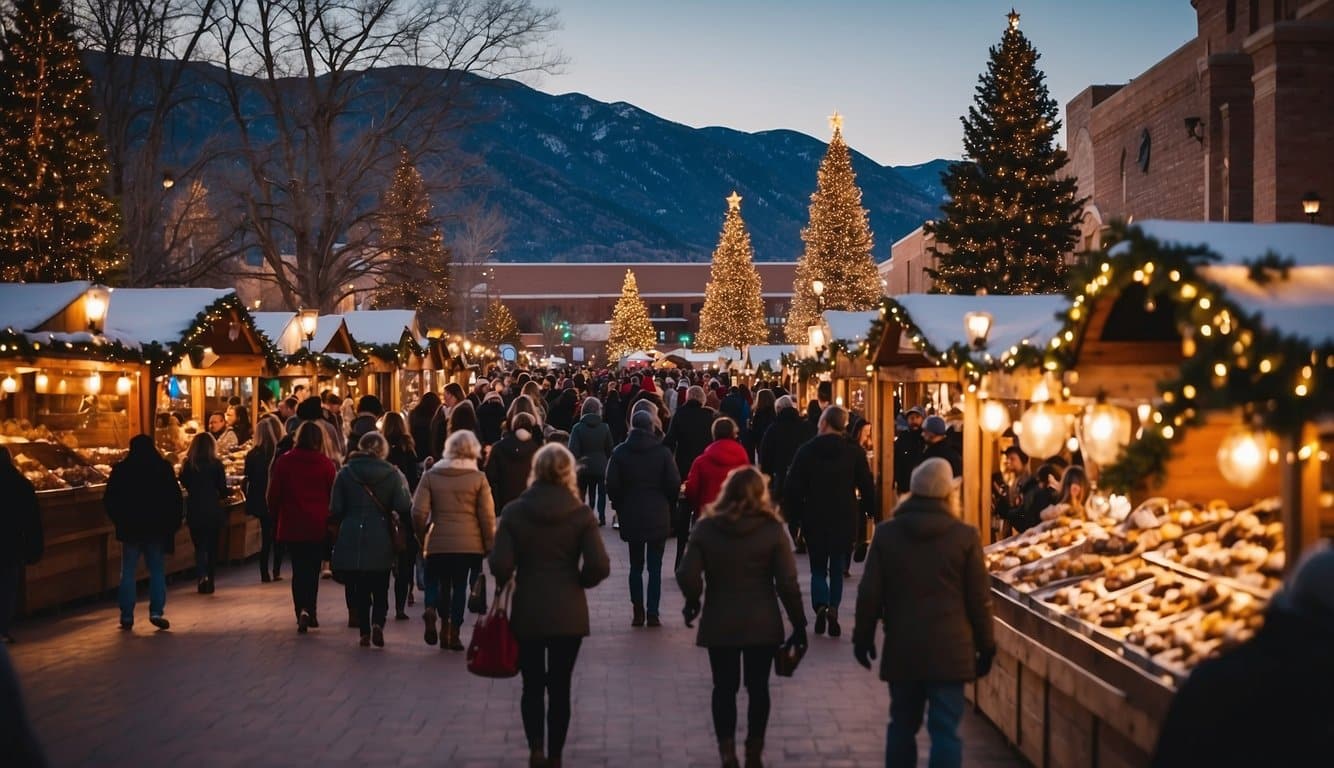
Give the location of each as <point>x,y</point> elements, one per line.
<point>143,502</point>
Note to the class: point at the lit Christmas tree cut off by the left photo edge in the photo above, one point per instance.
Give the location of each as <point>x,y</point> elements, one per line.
<point>57,221</point>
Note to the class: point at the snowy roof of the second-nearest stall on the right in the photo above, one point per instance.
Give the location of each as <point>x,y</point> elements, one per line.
<point>1016,321</point>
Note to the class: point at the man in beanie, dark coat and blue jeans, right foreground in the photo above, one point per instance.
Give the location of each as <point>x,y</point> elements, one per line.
<point>926,582</point>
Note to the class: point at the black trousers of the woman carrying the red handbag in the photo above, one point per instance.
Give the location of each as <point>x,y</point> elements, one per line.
<point>548,665</point>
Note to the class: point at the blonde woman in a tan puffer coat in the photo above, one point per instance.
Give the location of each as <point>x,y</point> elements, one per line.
<point>454,510</point>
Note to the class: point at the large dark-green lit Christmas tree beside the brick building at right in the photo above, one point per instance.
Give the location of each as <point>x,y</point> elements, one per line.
<point>1011,219</point>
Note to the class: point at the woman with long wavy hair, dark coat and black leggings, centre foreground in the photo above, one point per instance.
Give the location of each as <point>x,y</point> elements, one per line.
<point>740,561</point>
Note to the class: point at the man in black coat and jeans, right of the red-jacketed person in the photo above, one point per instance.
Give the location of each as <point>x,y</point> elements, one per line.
<point>829,491</point>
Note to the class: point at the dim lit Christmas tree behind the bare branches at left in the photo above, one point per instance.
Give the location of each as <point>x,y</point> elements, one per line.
<point>417,265</point>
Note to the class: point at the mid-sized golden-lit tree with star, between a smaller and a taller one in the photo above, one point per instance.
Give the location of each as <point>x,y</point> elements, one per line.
<point>734,310</point>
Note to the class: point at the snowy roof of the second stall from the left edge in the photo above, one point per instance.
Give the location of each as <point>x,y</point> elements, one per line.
<point>158,315</point>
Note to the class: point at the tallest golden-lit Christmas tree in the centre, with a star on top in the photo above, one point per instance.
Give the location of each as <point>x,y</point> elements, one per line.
<point>838,245</point>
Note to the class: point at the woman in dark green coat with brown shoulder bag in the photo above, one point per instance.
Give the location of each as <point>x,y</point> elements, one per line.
<point>369,495</point>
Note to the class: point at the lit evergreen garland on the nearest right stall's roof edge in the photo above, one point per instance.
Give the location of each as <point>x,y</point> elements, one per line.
<point>1231,359</point>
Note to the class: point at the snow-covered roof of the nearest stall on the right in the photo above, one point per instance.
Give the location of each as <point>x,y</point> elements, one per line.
<point>1300,306</point>
